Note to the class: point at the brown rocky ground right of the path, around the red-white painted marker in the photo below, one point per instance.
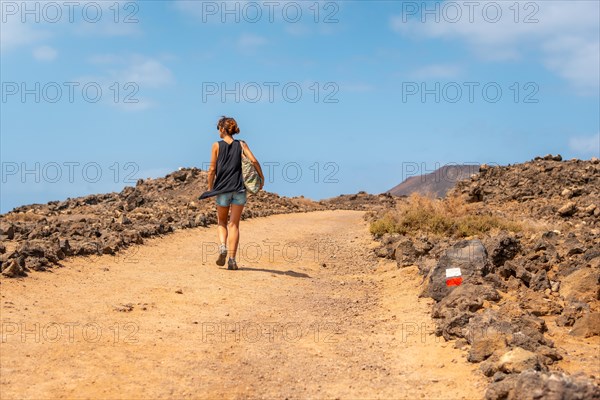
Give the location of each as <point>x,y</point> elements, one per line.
<point>514,284</point>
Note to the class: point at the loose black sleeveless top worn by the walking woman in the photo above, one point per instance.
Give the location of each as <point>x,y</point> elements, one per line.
<point>229,170</point>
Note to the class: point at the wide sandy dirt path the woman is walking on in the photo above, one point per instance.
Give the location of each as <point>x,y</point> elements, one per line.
<point>311,314</point>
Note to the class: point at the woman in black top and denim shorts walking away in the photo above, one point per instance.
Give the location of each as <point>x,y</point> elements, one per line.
<point>225,181</point>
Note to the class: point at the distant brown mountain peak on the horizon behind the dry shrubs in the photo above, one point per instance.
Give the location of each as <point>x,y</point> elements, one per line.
<point>436,183</point>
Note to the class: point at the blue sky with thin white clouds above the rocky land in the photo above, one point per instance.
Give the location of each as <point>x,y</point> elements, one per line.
<point>333,97</point>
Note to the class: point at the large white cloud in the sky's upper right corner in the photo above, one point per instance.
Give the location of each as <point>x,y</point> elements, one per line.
<point>564,39</point>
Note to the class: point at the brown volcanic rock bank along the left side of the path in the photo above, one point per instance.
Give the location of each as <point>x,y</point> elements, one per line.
<point>39,236</point>
